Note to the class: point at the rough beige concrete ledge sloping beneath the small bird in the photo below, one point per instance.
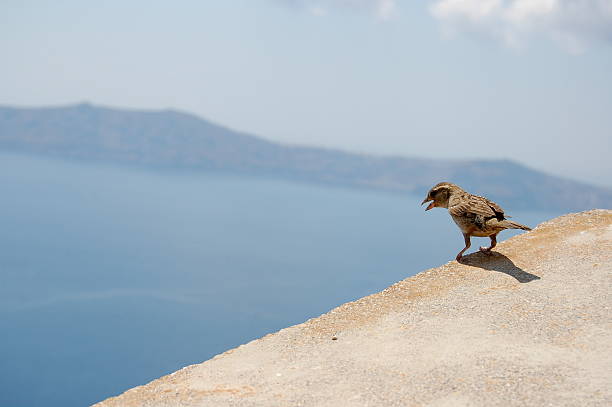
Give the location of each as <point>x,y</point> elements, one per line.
<point>530,325</point>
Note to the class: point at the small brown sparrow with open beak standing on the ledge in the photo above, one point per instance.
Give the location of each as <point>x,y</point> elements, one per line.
<point>475,215</point>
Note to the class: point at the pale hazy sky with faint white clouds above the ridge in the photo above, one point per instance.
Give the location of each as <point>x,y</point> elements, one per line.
<point>529,80</point>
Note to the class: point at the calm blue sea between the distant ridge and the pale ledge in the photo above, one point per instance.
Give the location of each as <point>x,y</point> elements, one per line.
<point>112,277</point>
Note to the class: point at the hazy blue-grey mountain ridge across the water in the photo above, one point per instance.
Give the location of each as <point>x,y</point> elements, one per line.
<point>171,139</point>
